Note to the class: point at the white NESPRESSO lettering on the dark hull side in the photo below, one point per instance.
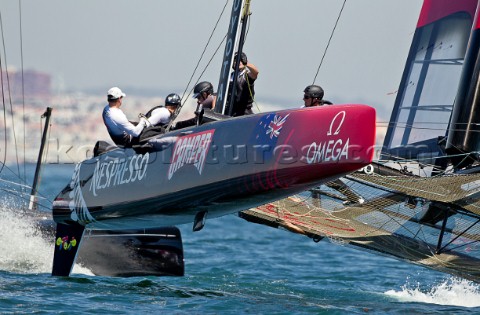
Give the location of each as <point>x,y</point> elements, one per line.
<point>118,172</point>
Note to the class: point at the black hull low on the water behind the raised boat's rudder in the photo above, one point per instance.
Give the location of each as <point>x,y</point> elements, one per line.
<point>128,253</point>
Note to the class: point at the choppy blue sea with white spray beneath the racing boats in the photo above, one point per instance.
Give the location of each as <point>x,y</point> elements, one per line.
<point>232,267</point>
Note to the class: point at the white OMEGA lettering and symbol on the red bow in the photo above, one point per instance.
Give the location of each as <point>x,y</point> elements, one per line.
<point>333,150</point>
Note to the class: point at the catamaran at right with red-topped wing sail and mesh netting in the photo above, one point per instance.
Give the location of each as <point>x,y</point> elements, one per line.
<point>420,200</point>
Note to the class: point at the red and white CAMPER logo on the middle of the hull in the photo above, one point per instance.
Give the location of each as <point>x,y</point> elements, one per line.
<point>191,149</point>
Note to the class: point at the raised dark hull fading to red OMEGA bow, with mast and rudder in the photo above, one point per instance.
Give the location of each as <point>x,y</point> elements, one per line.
<point>221,166</point>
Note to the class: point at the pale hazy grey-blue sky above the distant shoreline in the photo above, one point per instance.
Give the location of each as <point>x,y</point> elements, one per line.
<point>154,45</point>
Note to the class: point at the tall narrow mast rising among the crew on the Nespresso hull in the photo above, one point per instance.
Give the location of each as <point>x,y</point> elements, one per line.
<point>232,37</point>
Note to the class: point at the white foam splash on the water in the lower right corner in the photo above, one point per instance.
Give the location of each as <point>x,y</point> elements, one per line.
<point>454,291</point>
